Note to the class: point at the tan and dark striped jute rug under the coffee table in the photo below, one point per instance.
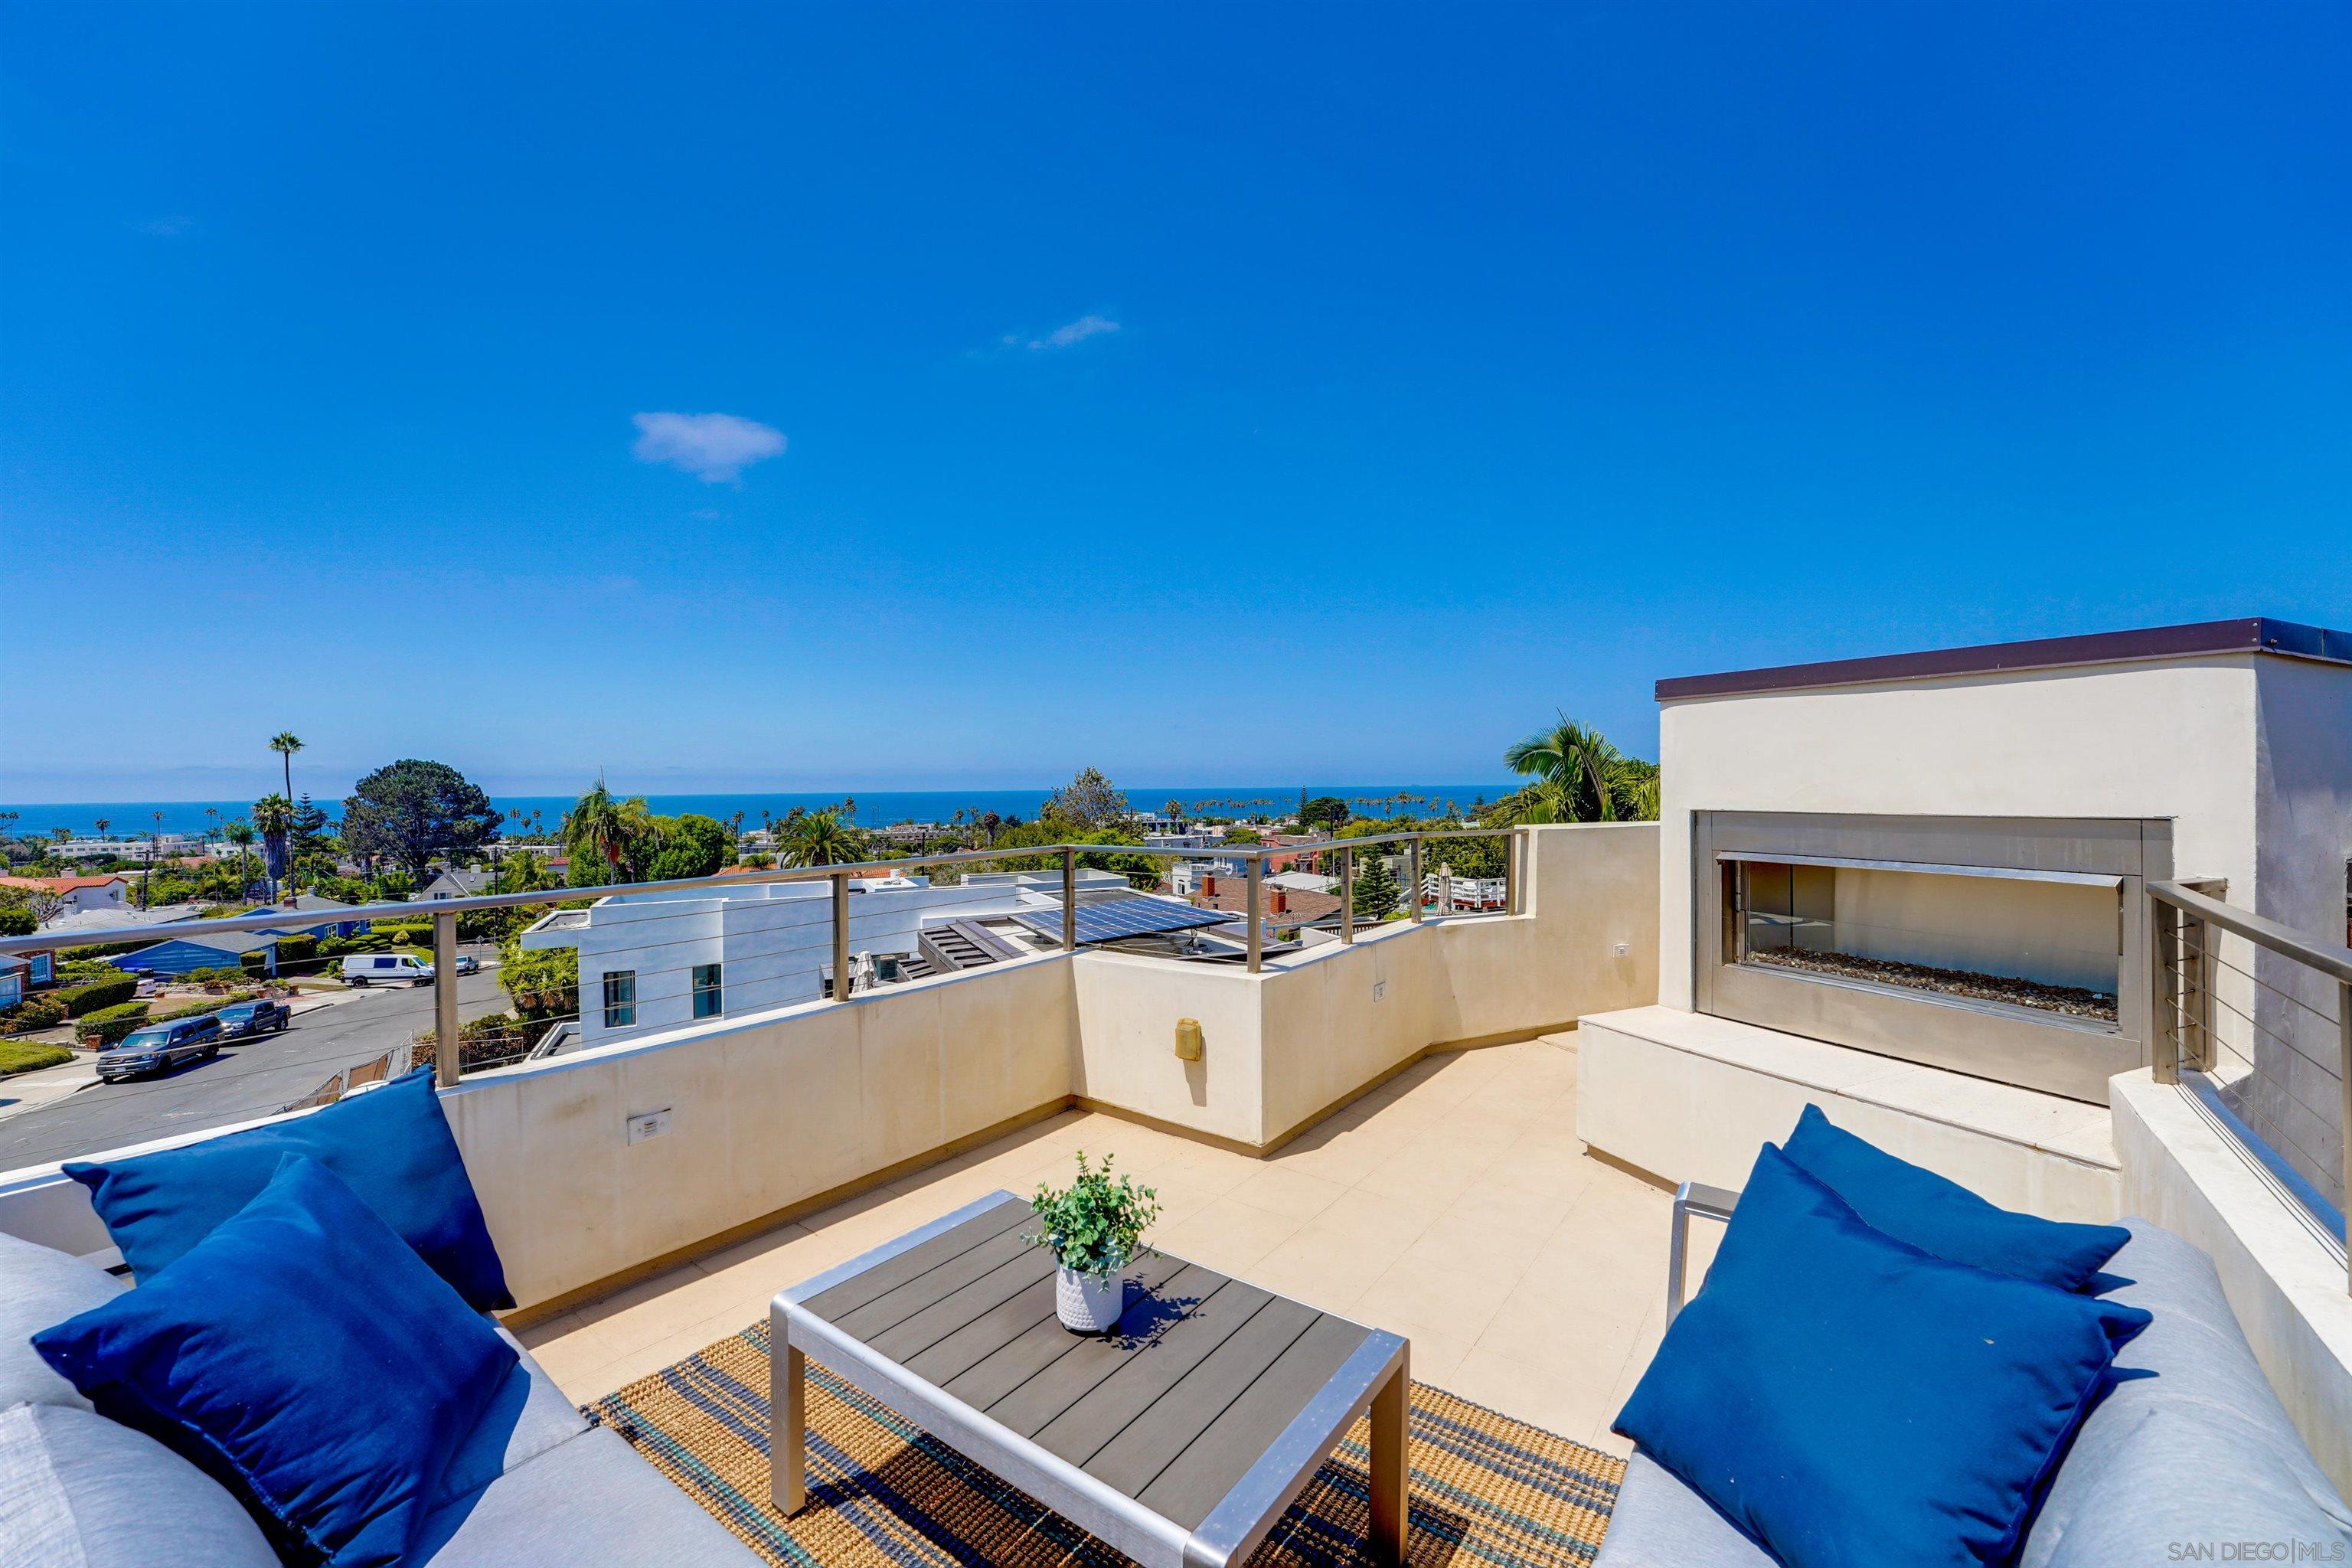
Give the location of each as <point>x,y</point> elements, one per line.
<point>883,1494</point>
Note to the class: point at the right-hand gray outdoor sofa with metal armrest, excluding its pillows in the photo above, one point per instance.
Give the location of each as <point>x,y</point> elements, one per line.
<point>2189,1459</point>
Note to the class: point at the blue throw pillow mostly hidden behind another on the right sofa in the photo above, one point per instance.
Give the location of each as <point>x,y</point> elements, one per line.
<point>1946,1219</point>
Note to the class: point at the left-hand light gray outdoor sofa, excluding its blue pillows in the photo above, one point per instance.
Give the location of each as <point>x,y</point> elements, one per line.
<point>535,1487</point>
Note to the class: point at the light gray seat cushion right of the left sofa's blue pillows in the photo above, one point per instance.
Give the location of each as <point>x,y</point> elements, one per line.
<point>589,1501</point>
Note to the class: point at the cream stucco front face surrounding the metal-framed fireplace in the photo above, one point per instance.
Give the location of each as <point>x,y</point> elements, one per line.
<point>2156,739</point>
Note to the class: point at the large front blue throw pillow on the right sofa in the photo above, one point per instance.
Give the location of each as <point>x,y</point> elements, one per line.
<point>1850,1402</point>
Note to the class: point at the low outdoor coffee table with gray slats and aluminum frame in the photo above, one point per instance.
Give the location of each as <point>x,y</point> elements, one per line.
<point>1180,1438</point>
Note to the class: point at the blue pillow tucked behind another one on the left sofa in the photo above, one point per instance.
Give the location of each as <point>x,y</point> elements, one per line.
<point>392,1146</point>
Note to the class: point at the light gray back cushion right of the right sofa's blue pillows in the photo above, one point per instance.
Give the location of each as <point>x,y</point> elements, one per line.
<point>2191,1449</point>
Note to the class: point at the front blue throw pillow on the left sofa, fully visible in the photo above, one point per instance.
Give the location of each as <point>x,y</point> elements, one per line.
<point>307,1360</point>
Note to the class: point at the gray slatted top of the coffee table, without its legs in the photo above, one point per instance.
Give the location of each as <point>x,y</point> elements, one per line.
<point>1172,1412</point>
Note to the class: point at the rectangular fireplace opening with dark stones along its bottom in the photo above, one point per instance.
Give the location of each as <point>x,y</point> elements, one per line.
<point>1989,937</point>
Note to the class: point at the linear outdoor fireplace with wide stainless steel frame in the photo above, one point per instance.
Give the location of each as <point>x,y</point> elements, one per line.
<point>2005,949</point>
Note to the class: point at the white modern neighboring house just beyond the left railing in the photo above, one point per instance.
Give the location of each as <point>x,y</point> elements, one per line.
<point>655,960</point>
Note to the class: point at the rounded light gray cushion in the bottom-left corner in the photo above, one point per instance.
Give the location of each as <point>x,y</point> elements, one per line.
<point>79,1492</point>
